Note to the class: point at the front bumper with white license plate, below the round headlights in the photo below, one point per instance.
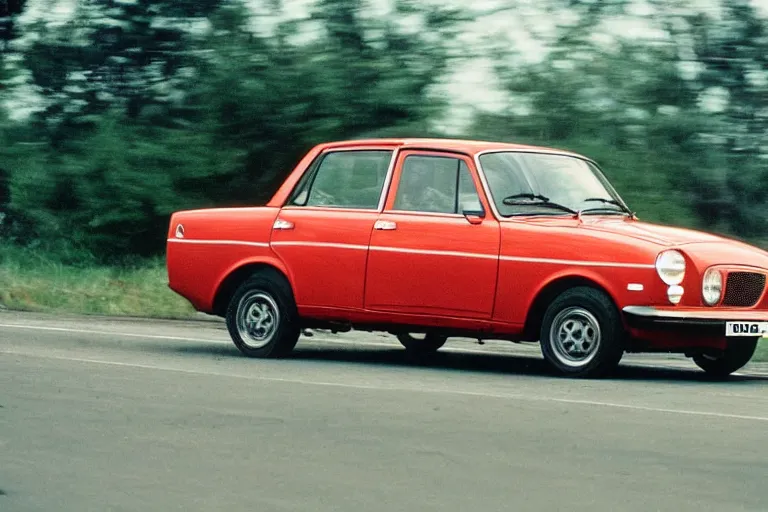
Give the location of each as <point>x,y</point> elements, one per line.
<point>709,322</point>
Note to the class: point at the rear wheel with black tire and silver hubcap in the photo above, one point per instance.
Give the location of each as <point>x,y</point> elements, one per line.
<point>264,293</point>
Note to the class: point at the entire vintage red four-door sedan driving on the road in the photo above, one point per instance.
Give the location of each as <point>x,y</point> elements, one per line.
<point>432,238</point>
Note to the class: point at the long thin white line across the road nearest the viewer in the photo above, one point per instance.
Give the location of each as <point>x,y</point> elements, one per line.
<point>442,391</point>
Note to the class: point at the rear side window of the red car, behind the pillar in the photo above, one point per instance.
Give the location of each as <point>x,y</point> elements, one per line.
<point>345,179</point>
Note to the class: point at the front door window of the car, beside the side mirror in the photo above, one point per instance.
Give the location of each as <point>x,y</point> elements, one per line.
<point>436,184</point>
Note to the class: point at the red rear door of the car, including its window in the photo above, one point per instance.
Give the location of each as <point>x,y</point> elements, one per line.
<point>323,231</point>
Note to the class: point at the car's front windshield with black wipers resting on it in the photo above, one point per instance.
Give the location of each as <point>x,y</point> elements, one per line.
<point>532,183</point>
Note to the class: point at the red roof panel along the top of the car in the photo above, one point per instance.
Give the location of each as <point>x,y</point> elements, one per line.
<point>468,146</point>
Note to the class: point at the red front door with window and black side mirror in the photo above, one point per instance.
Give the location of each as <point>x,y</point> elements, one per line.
<point>426,256</point>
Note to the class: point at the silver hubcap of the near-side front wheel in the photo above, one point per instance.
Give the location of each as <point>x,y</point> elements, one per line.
<point>575,336</point>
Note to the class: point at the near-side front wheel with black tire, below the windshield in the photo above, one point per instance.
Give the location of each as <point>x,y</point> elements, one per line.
<point>582,334</point>
